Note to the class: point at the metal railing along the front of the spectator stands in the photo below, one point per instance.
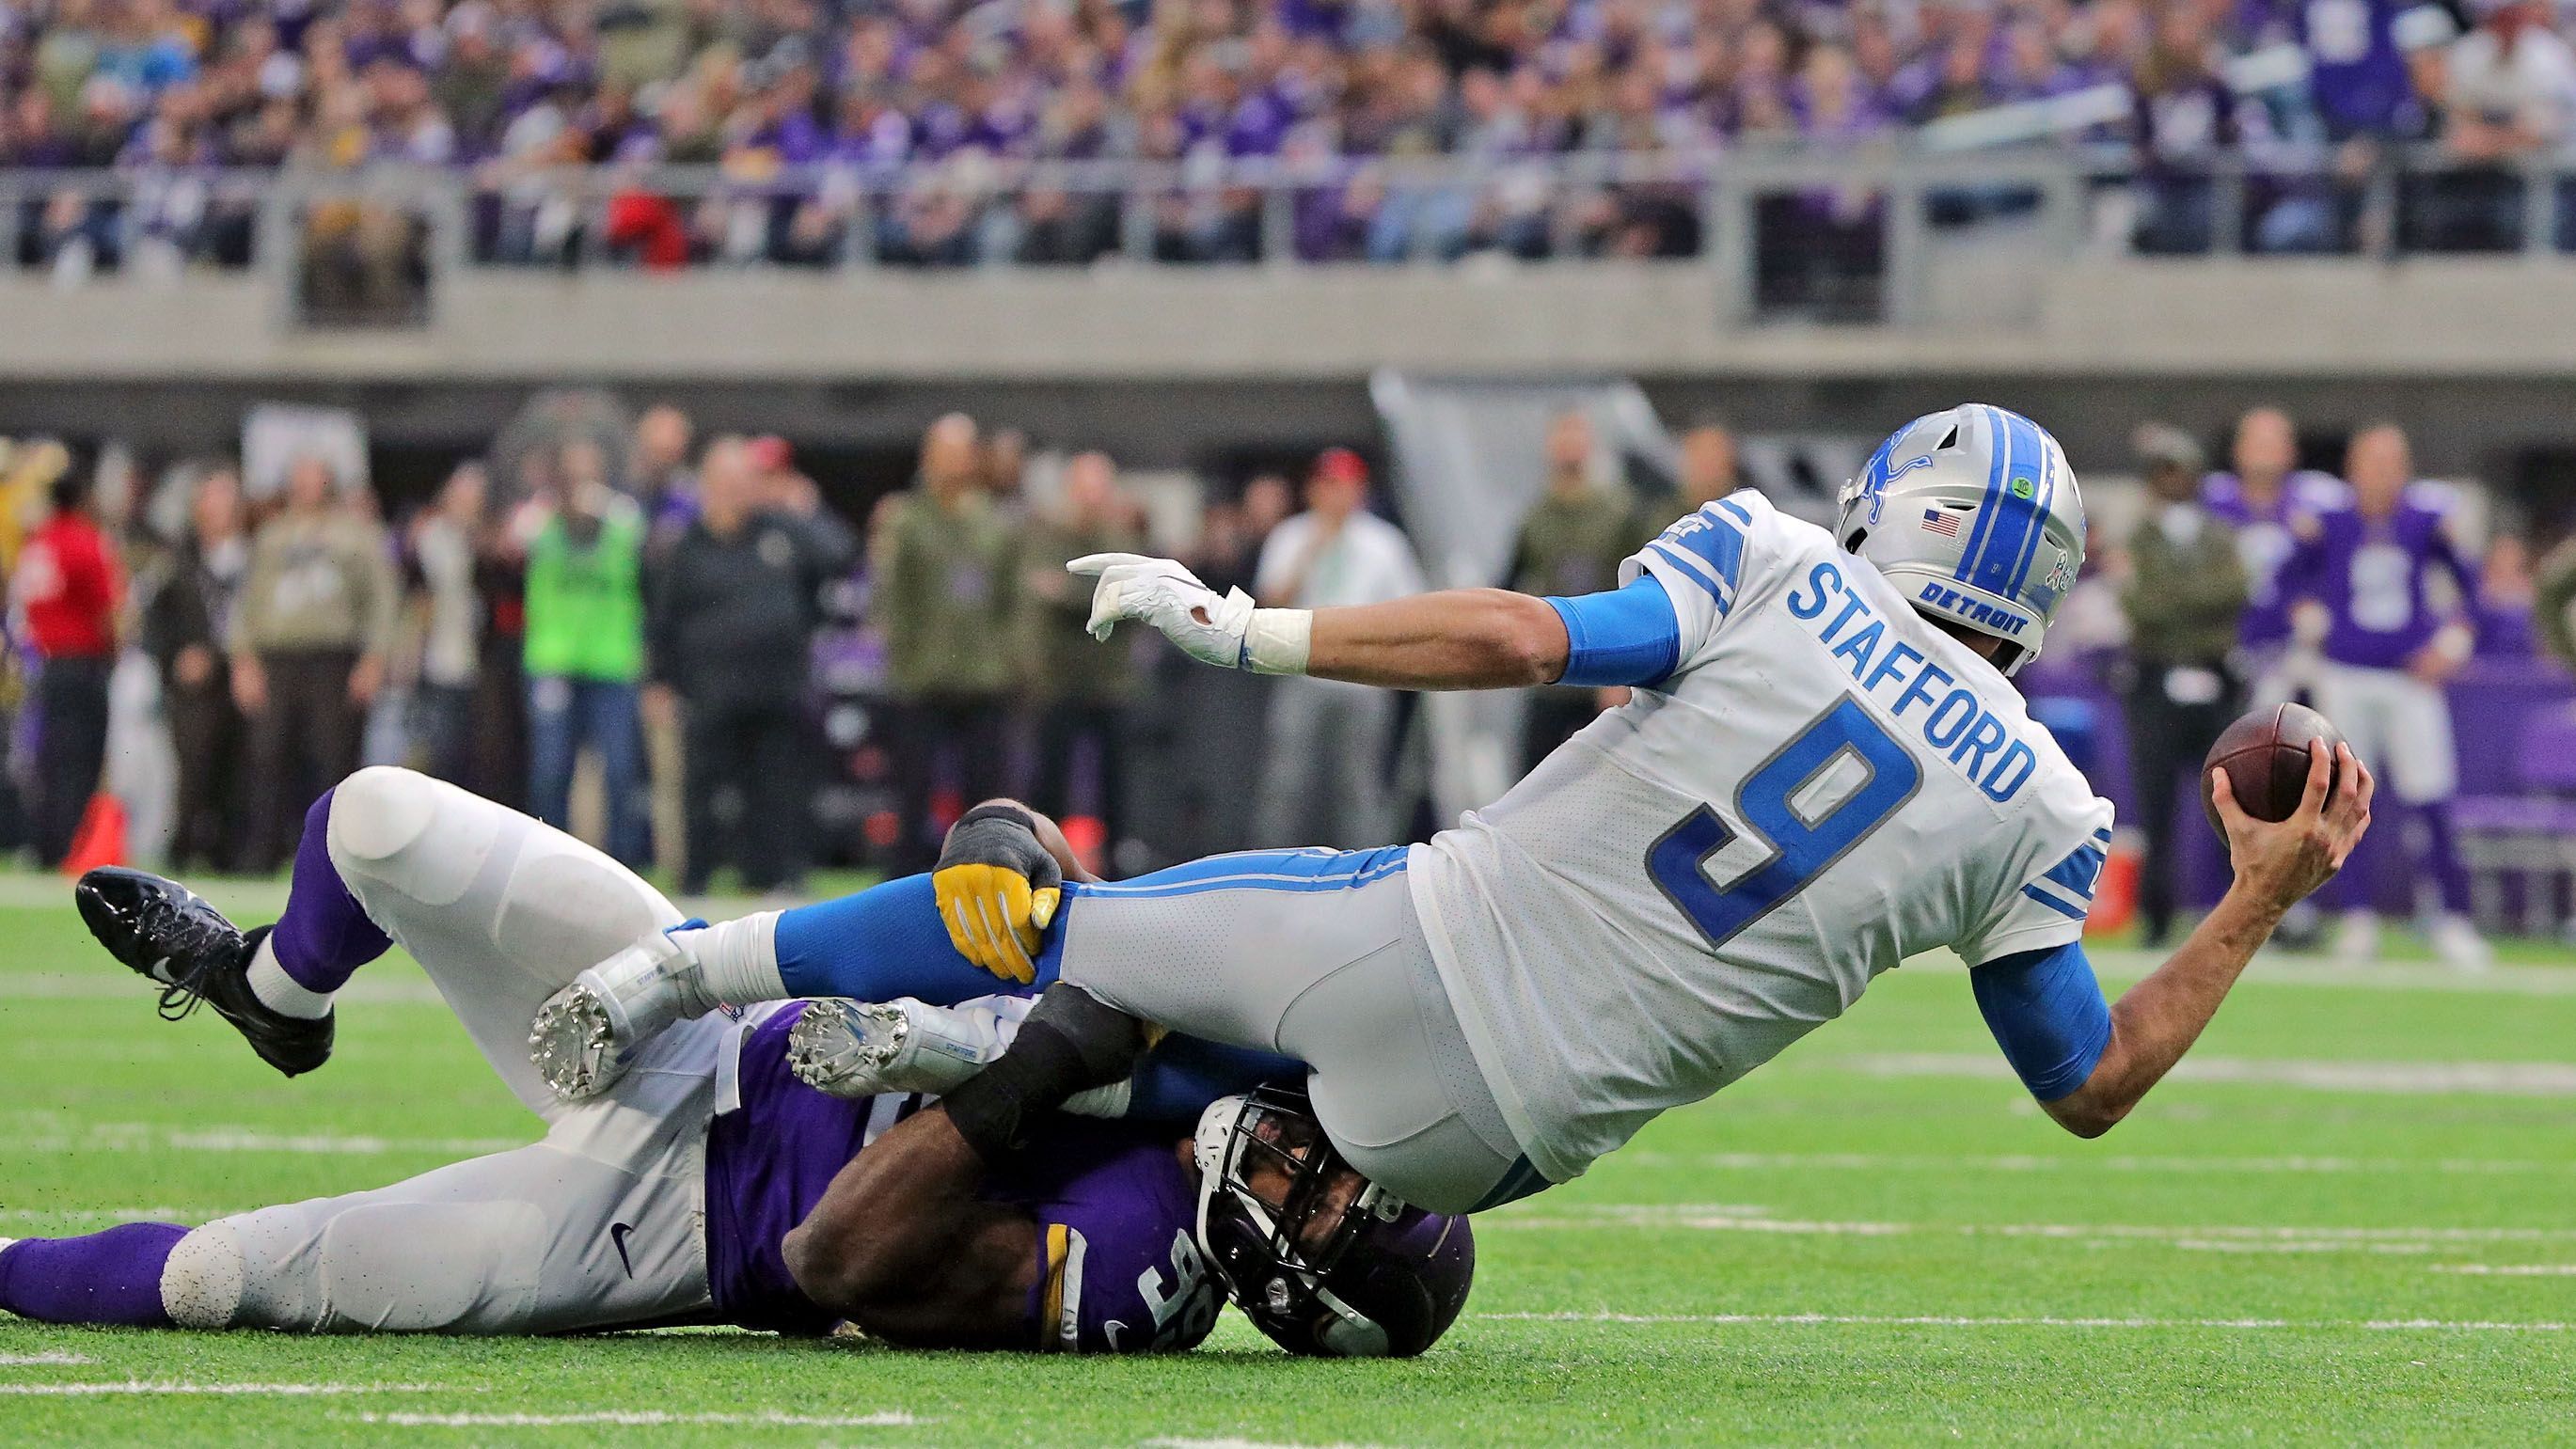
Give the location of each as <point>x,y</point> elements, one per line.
<point>1835,235</point>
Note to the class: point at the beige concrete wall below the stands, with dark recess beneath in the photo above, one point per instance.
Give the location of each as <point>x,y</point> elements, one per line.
<point>1163,364</point>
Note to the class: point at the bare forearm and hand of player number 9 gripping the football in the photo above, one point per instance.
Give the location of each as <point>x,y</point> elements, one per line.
<point>2276,869</point>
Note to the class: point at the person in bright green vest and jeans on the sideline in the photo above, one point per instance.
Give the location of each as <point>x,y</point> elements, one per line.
<point>586,647</point>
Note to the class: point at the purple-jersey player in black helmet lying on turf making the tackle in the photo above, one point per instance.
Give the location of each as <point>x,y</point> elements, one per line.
<point>710,1185</point>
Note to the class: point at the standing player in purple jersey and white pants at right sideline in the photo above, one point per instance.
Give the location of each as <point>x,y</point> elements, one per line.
<point>2382,588</point>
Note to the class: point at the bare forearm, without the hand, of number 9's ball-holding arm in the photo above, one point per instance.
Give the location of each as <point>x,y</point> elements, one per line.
<point>2160,1018</point>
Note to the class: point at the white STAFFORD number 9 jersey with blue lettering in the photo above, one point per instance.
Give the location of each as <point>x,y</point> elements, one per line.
<point>1825,786</point>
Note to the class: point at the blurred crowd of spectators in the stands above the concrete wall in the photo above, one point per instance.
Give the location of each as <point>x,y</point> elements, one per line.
<point>929,107</point>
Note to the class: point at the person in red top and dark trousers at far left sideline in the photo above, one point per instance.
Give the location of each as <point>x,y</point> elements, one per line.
<point>68,588</point>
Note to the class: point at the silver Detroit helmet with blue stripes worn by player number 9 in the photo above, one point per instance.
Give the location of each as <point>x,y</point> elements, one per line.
<point>1977,519</point>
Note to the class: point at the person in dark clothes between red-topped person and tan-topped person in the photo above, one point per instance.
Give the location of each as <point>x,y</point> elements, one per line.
<point>184,632</point>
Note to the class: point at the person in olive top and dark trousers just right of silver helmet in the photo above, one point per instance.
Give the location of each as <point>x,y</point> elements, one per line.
<point>2183,588</point>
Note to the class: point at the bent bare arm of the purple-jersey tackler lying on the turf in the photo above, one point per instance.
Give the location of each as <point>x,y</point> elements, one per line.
<point>903,1247</point>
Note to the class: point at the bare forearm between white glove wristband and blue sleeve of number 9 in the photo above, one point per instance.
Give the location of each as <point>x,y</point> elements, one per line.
<point>1454,640</point>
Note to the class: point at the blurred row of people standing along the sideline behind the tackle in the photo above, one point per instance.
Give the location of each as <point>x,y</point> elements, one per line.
<point>728,647</point>
